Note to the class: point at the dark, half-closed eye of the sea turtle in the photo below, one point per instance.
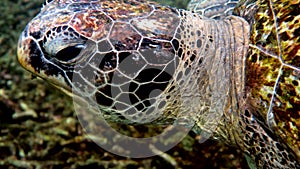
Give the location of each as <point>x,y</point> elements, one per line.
<point>69,53</point>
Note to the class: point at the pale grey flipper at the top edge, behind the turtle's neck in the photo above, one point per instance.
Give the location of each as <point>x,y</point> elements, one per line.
<point>213,8</point>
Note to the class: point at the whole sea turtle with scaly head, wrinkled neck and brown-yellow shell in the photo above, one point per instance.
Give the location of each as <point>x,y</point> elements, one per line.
<point>233,65</point>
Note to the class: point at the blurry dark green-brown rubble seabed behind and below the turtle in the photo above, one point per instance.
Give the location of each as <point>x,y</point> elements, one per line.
<point>39,129</point>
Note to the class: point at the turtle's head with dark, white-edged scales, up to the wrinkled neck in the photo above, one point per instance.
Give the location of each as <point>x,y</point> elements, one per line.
<point>122,53</point>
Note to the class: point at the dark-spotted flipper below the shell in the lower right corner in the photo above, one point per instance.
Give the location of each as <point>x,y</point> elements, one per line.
<point>261,146</point>
